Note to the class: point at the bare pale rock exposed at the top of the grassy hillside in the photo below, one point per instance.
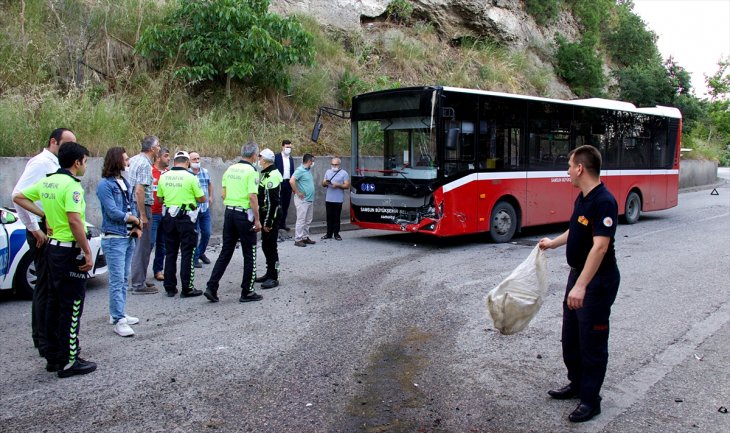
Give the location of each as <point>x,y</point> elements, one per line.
<point>502,21</point>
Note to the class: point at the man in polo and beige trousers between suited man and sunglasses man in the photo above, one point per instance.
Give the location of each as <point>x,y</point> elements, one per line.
<point>302,185</point>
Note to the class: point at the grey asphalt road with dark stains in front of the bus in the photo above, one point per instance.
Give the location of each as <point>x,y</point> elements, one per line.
<point>386,332</point>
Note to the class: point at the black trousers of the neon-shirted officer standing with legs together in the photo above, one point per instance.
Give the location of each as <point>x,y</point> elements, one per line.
<point>179,235</point>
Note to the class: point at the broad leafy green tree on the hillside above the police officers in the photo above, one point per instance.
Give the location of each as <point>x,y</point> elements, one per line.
<point>226,39</point>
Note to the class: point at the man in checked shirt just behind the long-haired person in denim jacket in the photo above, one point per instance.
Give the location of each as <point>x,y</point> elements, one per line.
<point>141,181</point>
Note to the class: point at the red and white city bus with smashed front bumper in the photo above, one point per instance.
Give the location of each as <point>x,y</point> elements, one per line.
<point>449,161</point>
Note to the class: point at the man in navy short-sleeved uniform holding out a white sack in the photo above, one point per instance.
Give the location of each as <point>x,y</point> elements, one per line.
<point>592,284</point>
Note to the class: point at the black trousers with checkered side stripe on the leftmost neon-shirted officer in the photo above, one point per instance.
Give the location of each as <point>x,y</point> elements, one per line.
<point>65,303</point>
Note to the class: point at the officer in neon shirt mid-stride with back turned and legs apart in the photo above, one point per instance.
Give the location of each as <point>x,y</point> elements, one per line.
<point>240,223</point>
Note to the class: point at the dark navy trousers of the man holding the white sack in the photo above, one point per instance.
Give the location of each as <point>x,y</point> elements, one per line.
<point>585,333</point>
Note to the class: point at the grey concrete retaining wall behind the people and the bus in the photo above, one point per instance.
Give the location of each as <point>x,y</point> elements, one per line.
<point>692,173</point>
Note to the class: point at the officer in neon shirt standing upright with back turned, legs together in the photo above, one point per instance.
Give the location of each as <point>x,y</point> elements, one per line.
<point>179,191</point>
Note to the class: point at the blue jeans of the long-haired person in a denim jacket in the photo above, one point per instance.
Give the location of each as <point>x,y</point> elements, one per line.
<point>119,258</point>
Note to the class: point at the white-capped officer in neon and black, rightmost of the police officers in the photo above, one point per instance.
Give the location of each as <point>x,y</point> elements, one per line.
<point>269,212</point>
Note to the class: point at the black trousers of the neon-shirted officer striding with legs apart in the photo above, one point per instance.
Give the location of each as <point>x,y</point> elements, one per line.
<point>236,227</point>
